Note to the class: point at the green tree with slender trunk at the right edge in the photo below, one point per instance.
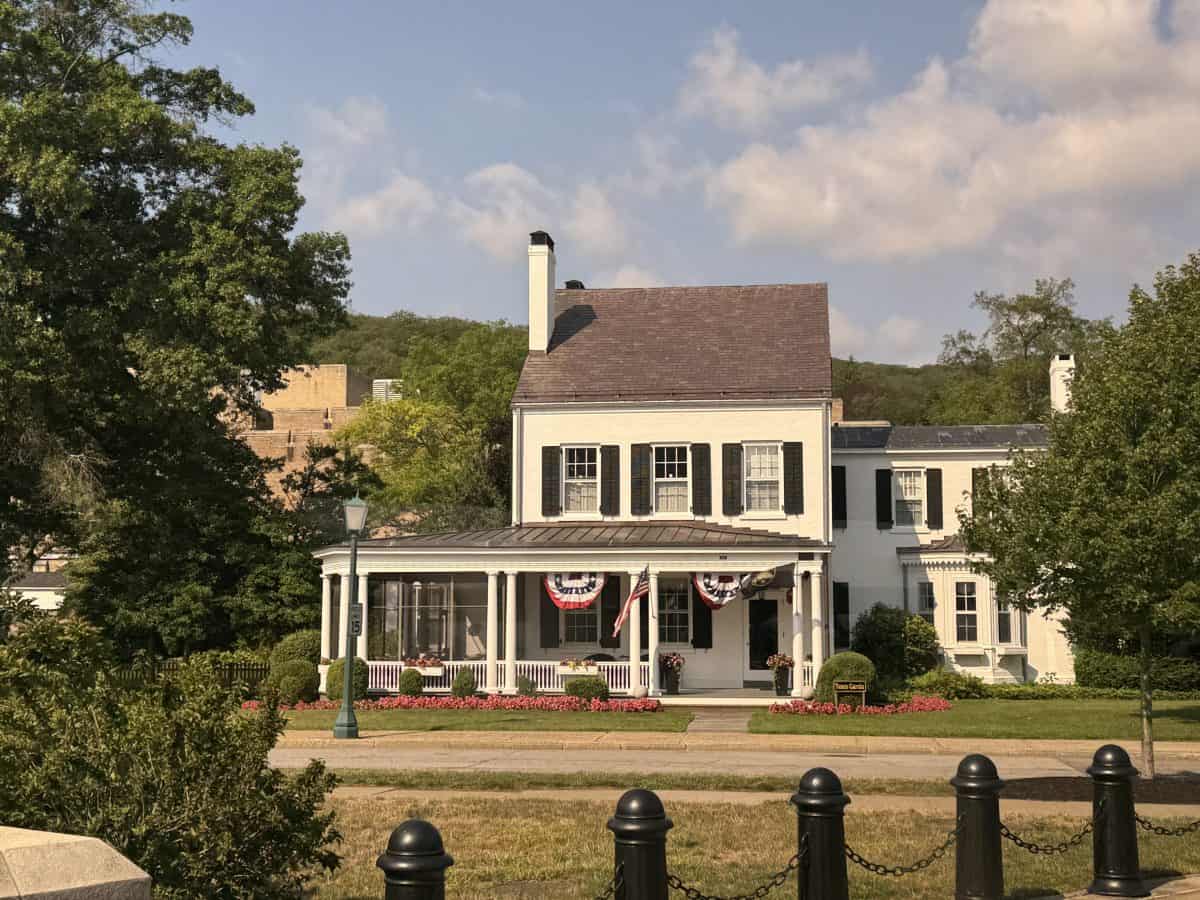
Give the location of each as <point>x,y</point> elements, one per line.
<point>1106,525</point>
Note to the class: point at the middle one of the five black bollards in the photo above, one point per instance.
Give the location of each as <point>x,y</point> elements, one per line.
<point>821,807</point>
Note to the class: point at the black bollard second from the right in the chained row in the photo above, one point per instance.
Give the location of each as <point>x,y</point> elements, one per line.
<point>980,865</point>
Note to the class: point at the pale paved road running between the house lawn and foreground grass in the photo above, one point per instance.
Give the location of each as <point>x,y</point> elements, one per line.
<point>736,763</point>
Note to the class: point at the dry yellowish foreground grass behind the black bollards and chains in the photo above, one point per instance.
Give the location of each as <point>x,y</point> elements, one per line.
<point>508,848</point>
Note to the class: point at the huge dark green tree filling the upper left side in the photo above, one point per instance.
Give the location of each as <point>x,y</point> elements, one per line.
<point>151,281</point>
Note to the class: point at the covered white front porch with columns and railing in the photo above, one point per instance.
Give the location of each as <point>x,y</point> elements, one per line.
<point>479,601</point>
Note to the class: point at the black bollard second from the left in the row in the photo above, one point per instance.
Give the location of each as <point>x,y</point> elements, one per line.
<point>640,837</point>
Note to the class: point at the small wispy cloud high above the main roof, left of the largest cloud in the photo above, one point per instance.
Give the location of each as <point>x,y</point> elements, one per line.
<point>739,93</point>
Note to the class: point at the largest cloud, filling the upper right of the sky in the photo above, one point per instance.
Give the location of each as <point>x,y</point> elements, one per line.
<point>1057,109</point>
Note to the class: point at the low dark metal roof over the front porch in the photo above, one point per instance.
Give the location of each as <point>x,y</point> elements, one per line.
<point>598,535</point>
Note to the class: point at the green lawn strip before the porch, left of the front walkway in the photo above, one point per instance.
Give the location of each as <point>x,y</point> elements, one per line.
<point>494,721</point>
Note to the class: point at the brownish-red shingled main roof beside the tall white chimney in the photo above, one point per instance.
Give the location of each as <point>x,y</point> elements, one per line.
<point>759,341</point>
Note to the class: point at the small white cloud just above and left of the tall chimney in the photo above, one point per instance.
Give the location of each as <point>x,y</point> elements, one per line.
<point>503,205</point>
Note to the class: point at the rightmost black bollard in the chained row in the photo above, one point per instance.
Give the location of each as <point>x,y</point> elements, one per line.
<point>1115,837</point>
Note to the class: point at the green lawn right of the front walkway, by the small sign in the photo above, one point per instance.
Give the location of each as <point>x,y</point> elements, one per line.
<point>1030,719</point>
